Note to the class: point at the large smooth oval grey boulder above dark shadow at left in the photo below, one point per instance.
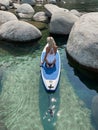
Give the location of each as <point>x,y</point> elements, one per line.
<point>19,31</point>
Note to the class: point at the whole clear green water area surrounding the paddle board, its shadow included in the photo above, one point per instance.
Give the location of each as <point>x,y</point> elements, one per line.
<point>24,103</point>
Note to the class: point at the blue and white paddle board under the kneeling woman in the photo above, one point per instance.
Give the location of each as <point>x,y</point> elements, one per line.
<point>50,76</point>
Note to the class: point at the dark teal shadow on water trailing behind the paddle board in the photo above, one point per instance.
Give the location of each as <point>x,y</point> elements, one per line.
<point>48,106</point>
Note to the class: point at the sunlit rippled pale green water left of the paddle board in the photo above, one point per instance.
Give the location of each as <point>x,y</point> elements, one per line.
<point>19,98</point>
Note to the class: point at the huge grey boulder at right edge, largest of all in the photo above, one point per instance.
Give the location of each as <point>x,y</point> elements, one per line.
<point>82,44</point>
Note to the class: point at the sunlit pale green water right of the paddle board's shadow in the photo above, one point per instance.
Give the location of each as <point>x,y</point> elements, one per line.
<point>72,114</point>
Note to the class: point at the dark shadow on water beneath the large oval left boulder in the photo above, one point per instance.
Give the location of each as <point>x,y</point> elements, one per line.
<point>16,48</point>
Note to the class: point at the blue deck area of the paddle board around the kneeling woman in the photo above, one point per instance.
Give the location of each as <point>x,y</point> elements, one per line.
<point>50,73</point>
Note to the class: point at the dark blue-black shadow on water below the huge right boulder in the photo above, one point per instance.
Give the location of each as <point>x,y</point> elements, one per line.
<point>84,87</point>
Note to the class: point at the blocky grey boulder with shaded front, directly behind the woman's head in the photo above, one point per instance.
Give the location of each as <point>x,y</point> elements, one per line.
<point>62,22</point>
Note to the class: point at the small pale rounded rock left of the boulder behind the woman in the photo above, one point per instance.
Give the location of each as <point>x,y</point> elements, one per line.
<point>40,16</point>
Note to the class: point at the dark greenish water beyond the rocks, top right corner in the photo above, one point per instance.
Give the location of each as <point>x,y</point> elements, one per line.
<point>82,5</point>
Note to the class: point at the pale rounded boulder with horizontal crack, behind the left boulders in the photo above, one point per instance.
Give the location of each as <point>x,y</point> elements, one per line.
<point>25,11</point>
